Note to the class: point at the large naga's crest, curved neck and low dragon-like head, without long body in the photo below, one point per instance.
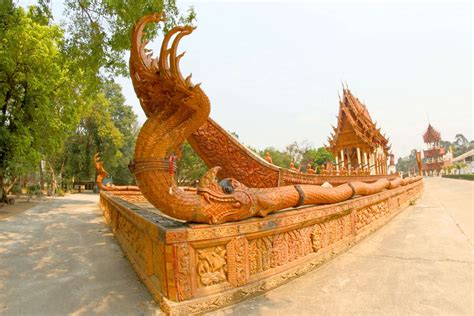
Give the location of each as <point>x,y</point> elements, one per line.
<point>175,108</point>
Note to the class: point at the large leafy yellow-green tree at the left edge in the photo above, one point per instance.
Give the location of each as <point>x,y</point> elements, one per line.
<point>37,92</point>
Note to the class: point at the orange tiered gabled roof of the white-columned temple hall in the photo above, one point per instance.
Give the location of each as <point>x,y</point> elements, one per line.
<point>355,126</point>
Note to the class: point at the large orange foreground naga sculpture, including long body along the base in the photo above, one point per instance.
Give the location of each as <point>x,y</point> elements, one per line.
<point>176,108</point>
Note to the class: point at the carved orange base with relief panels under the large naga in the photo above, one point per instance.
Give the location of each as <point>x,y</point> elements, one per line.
<point>194,268</point>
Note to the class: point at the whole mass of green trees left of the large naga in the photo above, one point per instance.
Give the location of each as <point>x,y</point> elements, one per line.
<point>59,104</point>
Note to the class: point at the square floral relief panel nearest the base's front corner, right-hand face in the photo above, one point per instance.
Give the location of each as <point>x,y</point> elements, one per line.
<point>211,266</point>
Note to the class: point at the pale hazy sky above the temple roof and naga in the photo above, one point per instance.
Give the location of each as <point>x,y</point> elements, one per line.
<point>273,70</point>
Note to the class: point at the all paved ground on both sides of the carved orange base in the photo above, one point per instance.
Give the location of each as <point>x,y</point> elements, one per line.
<point>60,258</point>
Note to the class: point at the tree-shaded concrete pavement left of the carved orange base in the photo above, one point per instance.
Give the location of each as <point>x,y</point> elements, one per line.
<point>60,258</point>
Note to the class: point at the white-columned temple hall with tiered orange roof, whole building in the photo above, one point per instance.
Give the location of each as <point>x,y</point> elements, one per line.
<point>357,143</point>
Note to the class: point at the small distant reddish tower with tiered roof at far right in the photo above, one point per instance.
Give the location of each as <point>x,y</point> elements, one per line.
<point>433,156</point>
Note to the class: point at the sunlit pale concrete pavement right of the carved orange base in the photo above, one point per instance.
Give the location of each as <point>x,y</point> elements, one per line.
<point>421,262</point>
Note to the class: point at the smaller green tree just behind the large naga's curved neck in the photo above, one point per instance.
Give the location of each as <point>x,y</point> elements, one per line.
<point>108,127</point>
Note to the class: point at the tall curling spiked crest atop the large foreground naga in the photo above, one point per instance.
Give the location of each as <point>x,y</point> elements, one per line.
<point>164,93</point>
